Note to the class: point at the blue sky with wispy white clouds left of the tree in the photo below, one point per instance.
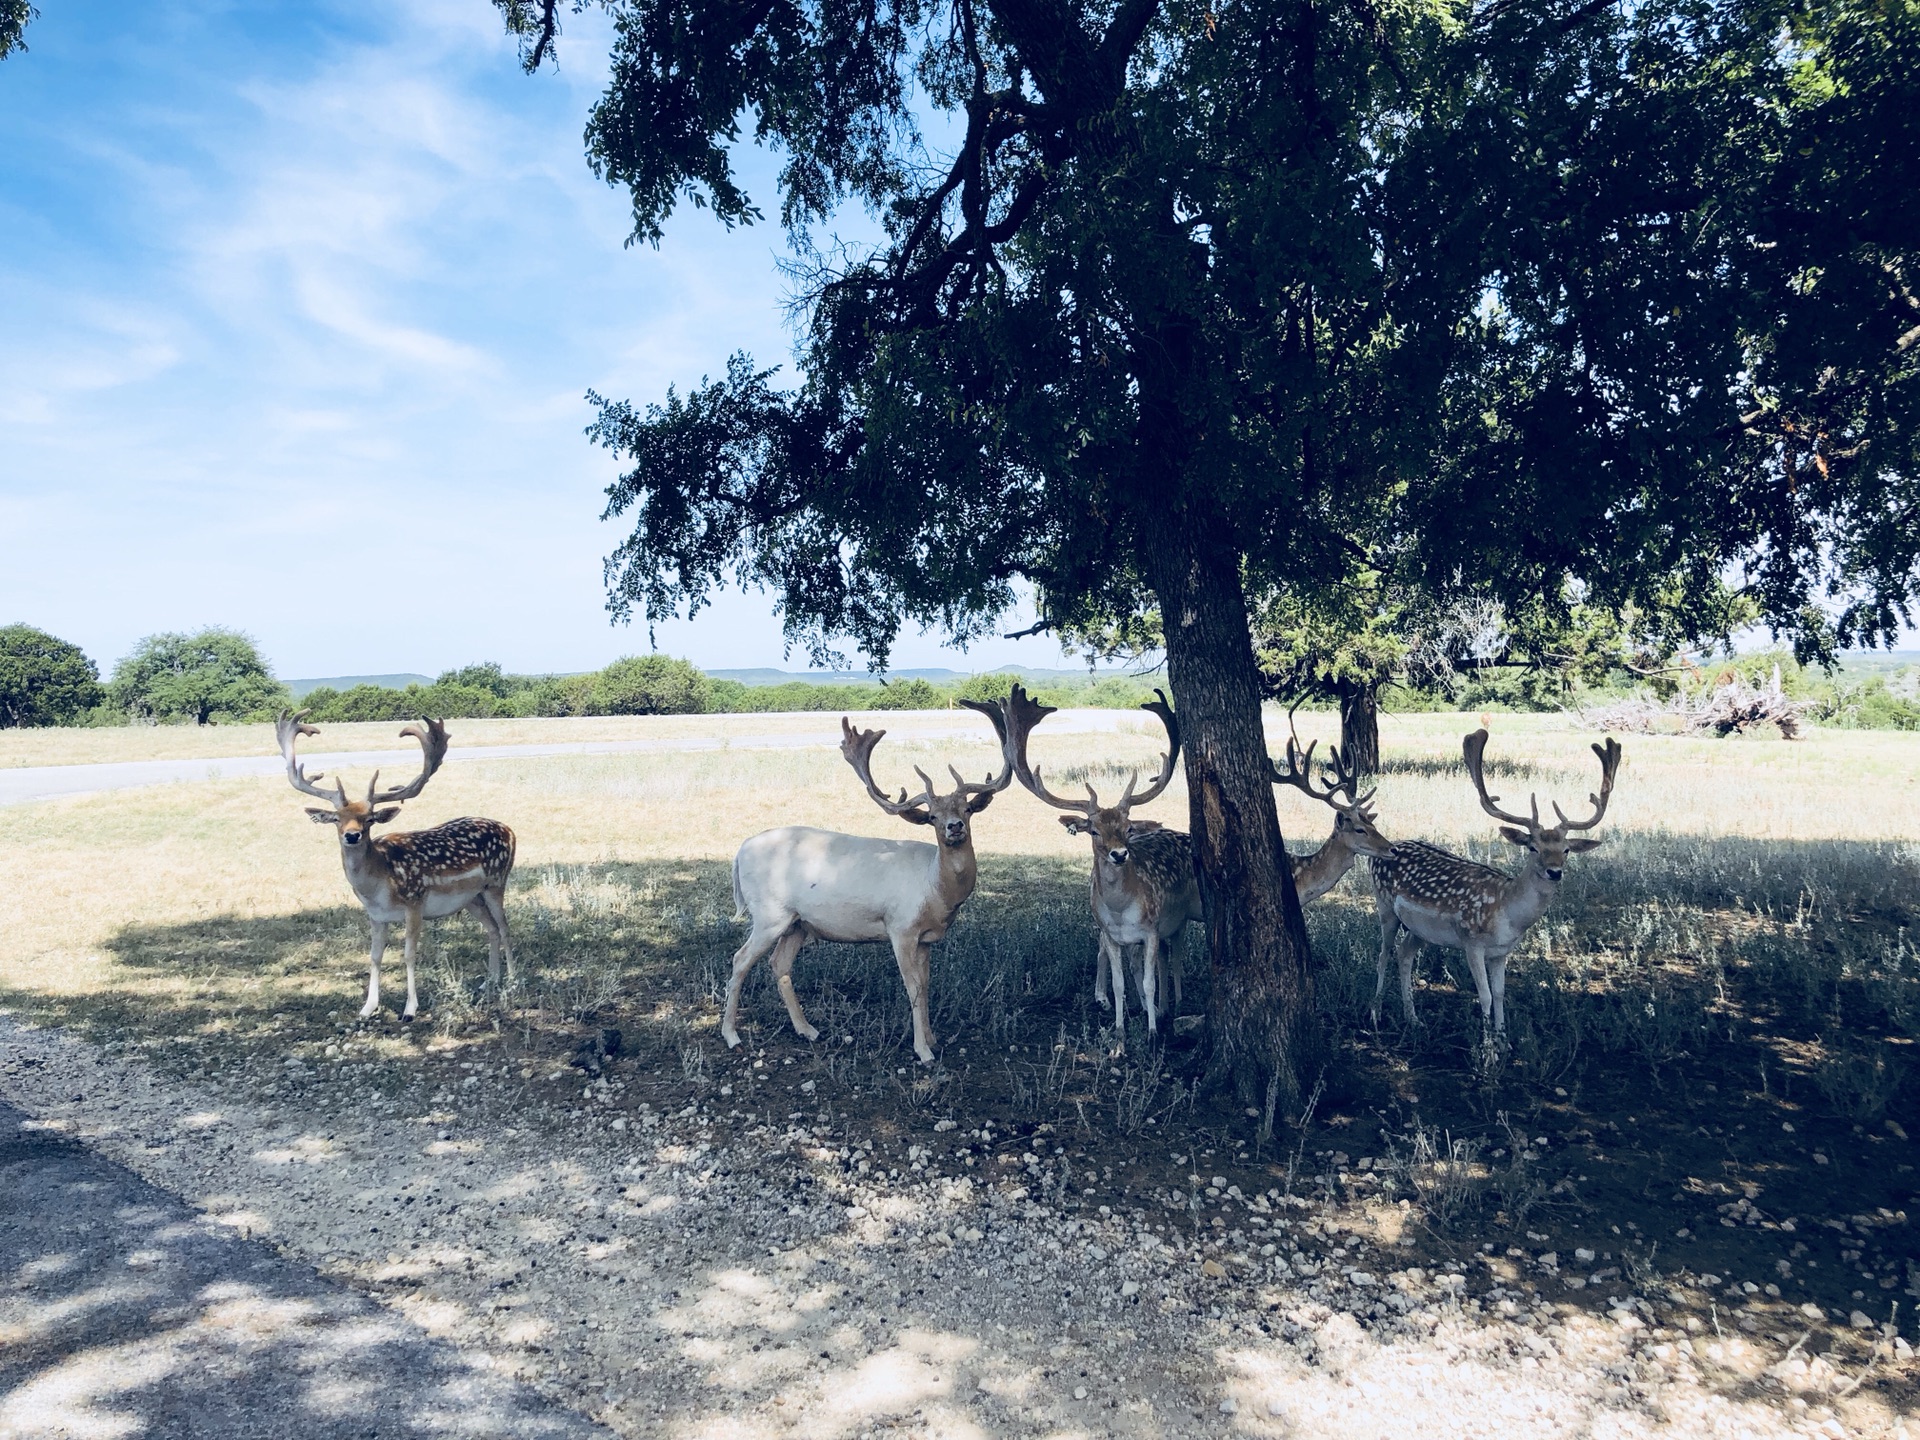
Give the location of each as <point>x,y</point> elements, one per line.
<point>299,306</point>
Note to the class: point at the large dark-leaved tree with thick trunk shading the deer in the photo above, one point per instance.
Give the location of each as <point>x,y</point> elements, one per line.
<point>1180,302</point>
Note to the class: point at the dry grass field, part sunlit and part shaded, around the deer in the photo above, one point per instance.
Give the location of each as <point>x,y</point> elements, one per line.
<point>1704,1115</point>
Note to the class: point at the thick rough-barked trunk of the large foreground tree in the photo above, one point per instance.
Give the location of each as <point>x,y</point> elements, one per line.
<point>1257,936</point>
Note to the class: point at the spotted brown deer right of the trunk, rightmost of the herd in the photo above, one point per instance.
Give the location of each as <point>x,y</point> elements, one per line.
<point>1429,898</point>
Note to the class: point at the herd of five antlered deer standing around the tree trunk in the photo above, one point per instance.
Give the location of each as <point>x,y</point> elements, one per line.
<point>800,884</point>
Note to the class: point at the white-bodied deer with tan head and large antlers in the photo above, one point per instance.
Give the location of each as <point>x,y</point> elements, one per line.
<point>800,884</point>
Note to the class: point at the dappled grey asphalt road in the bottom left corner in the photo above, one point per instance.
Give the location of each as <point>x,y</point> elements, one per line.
<point>126,1314</point>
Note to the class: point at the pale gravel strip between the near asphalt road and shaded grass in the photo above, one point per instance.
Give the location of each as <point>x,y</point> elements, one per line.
<point>709,1272</point>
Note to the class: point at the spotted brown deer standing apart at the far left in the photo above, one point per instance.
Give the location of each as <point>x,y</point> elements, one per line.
<point>412,876</point>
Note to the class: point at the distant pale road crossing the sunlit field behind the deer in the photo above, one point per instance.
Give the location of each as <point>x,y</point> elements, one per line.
<point>45,782</point>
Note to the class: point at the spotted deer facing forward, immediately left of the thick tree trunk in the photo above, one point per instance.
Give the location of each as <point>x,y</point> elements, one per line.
<point>1143,875</point>
